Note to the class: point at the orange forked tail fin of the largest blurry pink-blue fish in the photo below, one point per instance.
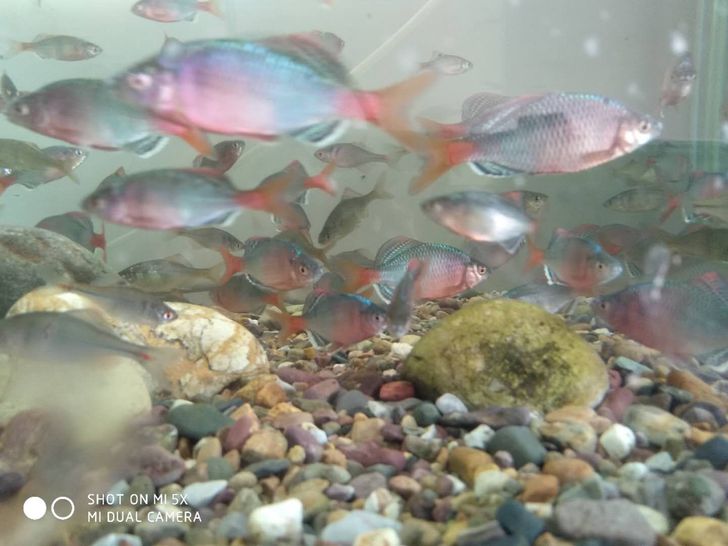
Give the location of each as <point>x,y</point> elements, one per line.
<point>392,105</point>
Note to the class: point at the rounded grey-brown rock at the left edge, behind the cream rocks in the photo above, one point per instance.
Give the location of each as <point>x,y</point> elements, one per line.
<point>28,256</point>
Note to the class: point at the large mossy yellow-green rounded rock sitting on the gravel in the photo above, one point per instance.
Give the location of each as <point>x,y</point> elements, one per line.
<point>507,353</point>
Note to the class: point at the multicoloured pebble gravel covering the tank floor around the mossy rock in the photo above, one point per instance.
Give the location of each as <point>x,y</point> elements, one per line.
<point>330,450</point>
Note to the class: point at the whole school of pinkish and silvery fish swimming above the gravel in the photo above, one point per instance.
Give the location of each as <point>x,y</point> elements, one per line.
<point>667,290</point>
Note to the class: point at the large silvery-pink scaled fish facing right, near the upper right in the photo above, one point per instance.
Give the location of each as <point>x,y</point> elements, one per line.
<point>542,134</point>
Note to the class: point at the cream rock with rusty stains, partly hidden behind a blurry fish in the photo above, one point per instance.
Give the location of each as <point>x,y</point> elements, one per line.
<point>217,351</point>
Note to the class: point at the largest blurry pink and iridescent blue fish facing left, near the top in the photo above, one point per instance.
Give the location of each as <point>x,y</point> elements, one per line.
<point>286,85</point>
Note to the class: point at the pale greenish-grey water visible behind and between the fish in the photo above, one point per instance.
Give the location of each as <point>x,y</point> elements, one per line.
<point>618,50</point>
